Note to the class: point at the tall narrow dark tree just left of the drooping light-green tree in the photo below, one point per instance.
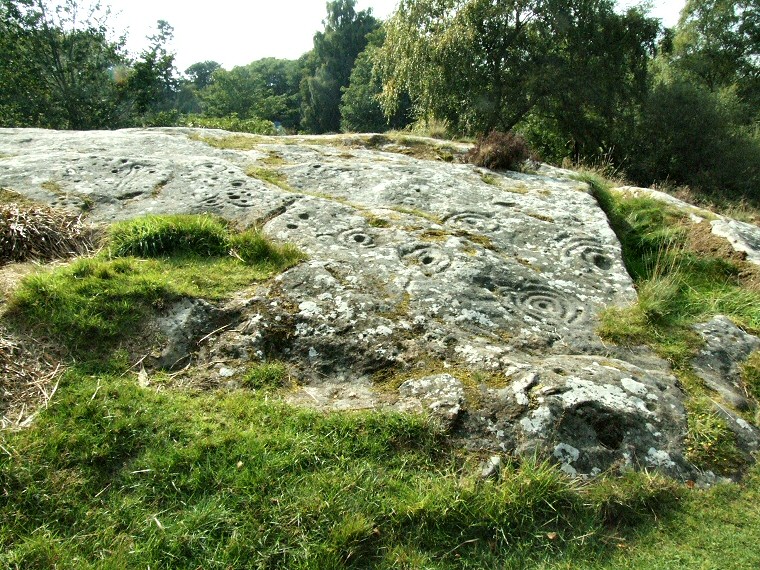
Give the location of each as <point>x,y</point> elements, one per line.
<point>331,62</point>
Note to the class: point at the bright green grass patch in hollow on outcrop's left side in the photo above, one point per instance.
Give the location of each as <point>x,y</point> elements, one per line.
<point>93,304</point>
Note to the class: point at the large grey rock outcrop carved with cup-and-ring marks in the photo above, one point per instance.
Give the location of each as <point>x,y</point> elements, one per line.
<point>429,285</point>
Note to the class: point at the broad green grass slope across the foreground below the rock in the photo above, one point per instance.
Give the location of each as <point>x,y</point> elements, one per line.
<point>113,475</point>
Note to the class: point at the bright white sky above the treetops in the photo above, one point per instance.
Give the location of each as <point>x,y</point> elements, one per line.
<point>237,32</point>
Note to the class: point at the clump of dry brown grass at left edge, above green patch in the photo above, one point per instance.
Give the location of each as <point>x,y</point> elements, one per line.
<point>40,233</point>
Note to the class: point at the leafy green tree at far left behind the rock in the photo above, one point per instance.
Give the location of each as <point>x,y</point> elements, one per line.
<point>59,69</point>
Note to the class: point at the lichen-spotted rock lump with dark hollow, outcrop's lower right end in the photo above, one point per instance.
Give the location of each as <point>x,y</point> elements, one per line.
<point>591,414</point>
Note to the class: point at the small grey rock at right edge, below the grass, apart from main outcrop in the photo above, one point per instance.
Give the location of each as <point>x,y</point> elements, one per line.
<point>726,347</point>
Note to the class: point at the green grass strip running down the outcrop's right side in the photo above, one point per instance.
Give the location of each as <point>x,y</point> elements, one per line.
<point>677,288</point>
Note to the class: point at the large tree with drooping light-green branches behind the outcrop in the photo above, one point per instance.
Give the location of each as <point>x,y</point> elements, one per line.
<point>485,64</point>
